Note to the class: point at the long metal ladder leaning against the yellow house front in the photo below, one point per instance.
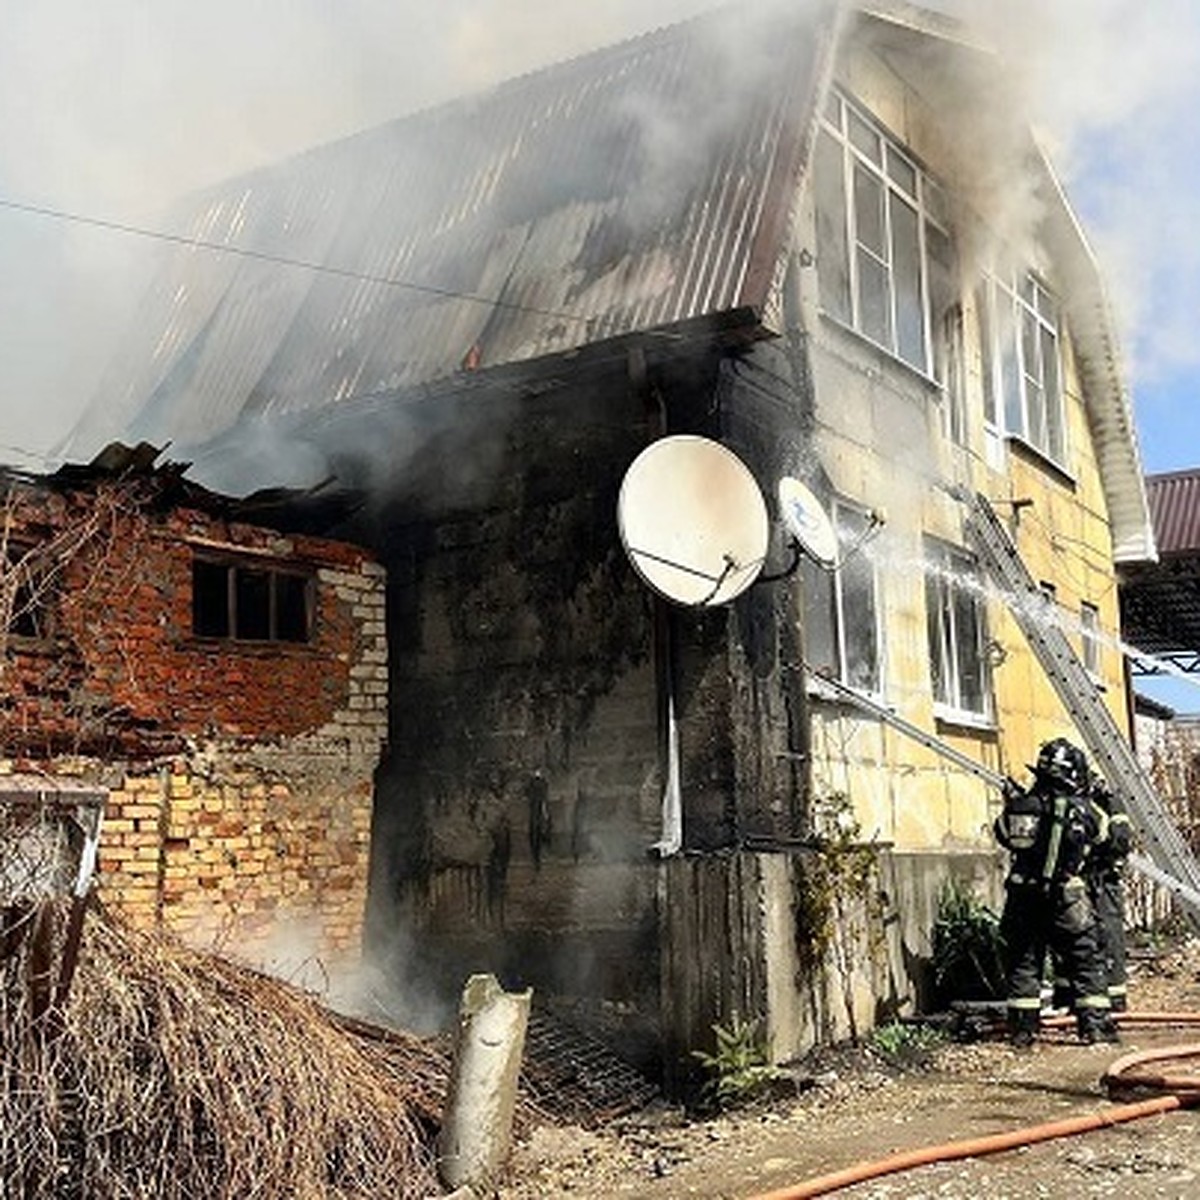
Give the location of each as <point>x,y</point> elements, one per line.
<point>1171,860</point>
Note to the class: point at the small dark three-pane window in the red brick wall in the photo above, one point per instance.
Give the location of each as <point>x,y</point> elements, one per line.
<point>250,602</point>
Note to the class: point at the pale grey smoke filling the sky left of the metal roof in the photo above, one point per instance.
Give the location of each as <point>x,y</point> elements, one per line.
<point>115,111</point>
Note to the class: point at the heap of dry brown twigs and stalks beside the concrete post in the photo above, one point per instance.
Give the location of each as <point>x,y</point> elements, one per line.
<point>176,1075</point>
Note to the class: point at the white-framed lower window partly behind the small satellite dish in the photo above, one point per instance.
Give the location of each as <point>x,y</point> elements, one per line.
<point>842,633</point>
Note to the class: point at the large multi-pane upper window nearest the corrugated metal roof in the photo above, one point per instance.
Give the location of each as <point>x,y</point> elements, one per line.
<point>884,260</point>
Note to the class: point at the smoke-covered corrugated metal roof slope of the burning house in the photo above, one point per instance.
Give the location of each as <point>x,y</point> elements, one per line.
<point>633,189</point>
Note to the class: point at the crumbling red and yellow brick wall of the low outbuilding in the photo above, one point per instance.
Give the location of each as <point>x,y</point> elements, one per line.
<point>241,773</point>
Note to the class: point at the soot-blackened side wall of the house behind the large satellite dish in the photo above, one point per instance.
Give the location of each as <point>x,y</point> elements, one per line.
<point>523,797</point>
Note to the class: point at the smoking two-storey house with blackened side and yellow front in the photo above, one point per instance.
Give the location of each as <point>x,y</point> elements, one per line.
<point>821,239</point>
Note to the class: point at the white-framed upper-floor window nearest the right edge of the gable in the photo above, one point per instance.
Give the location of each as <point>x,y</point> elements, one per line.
<point>1023,388</point>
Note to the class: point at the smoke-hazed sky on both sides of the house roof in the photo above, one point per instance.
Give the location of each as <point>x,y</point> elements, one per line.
<point>113,111</point>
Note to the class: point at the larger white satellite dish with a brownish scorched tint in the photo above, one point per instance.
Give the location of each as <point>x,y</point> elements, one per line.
<point>693,521</point>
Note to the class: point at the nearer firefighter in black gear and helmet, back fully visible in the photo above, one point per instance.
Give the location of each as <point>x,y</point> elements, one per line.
<point>1049,831</point>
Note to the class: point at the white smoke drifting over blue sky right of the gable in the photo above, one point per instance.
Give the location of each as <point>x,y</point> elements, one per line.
<point>1113,87</point>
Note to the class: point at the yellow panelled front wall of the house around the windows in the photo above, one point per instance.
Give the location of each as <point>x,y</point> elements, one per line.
<point>880,442</point>
